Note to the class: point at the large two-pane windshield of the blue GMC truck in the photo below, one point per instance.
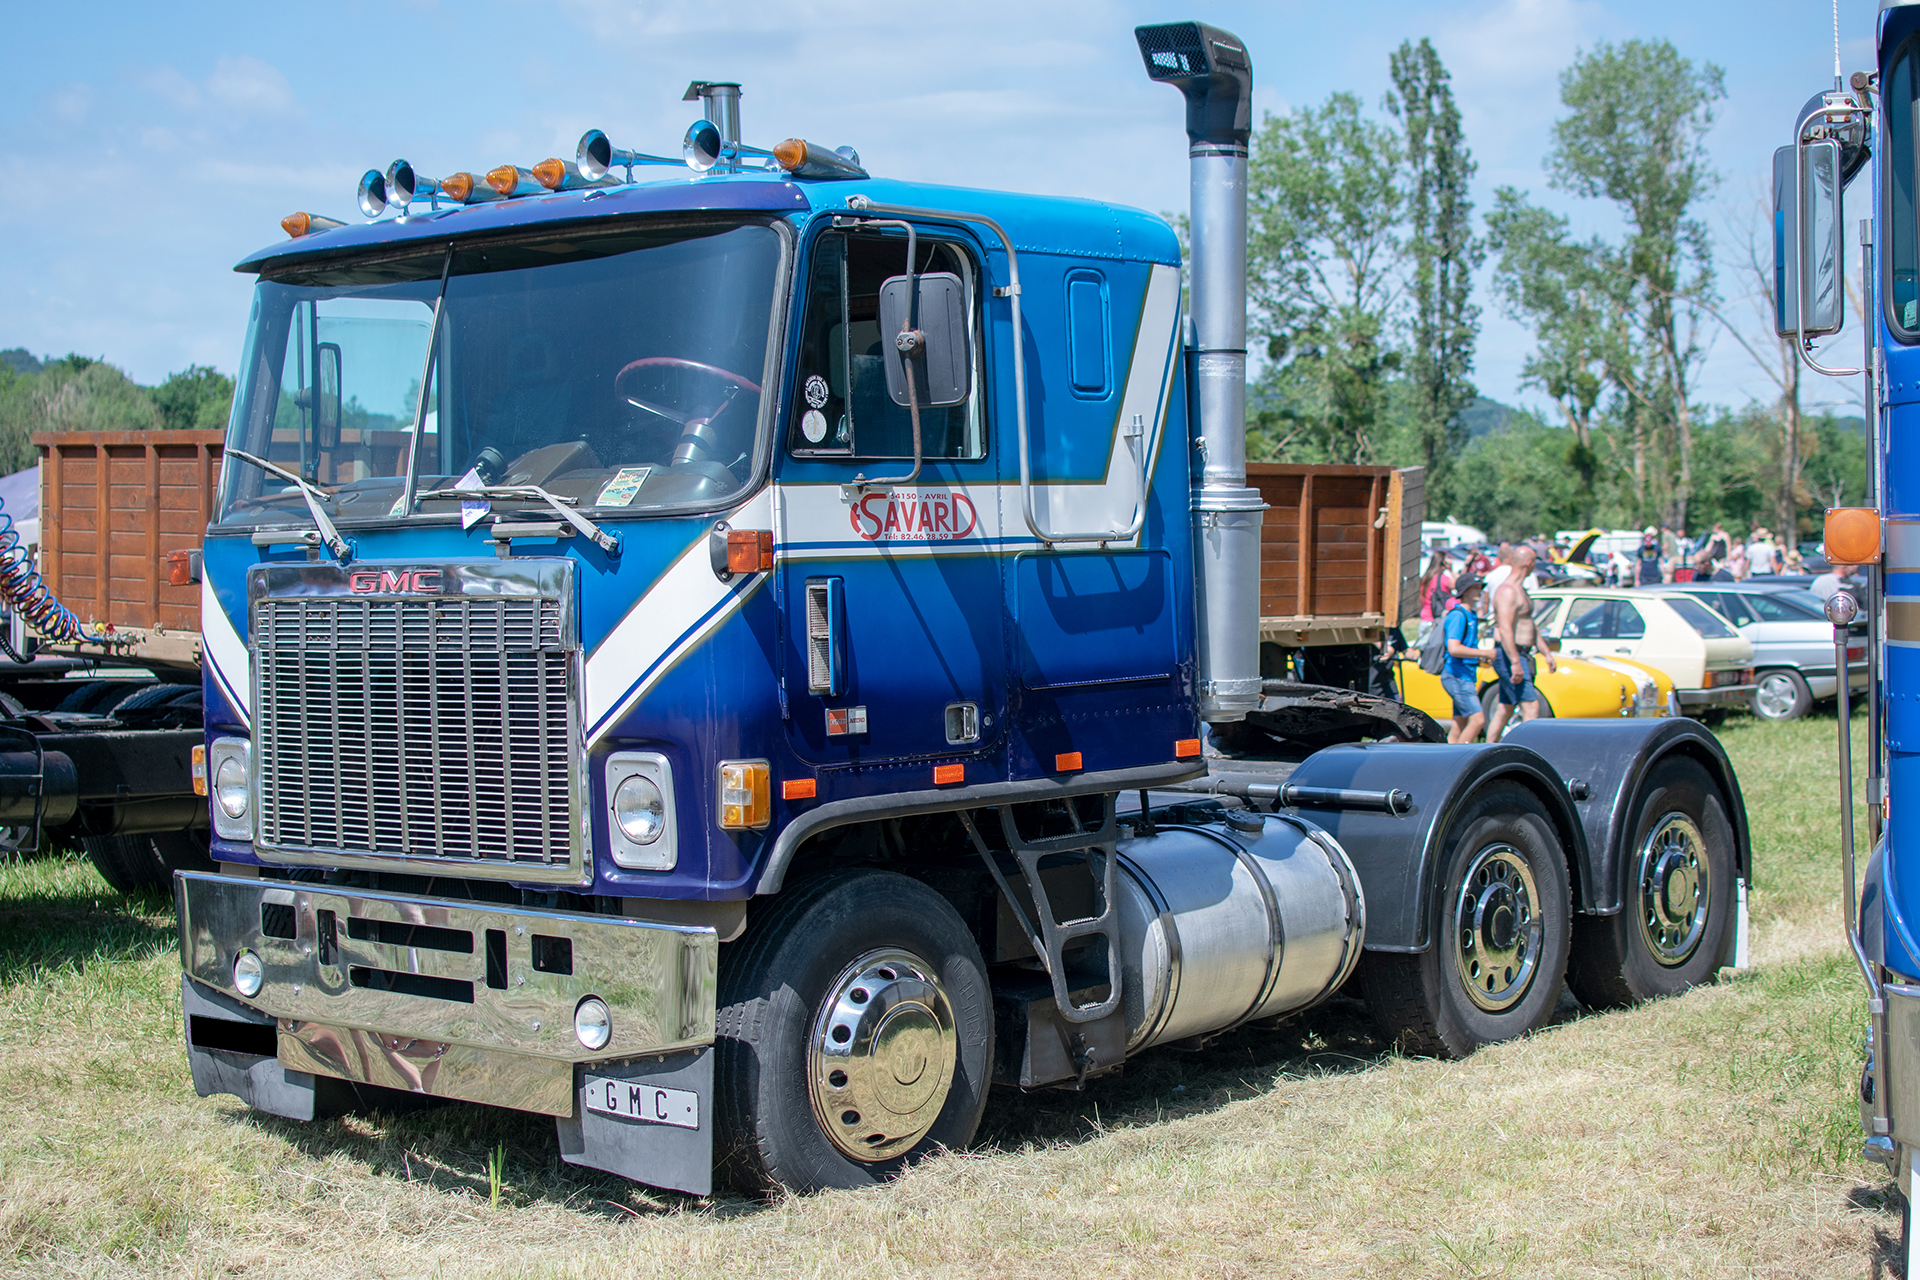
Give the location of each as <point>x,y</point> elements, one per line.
<point>621,371</point>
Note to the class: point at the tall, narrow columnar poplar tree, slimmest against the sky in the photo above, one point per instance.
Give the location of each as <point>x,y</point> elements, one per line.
<point>1445,252</point>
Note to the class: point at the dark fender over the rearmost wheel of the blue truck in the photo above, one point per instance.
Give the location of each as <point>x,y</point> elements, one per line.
<point>1614,761</point>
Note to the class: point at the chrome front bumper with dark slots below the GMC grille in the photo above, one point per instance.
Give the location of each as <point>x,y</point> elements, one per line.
<point>448,999</point>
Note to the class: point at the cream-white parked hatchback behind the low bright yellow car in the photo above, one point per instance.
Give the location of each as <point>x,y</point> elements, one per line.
<point>1710,663</point>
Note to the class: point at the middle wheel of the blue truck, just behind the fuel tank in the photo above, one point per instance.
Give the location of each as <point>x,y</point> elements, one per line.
<point>1499,936</point>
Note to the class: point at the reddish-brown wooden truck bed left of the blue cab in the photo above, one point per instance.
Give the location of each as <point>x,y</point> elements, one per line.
<point>112,508</point>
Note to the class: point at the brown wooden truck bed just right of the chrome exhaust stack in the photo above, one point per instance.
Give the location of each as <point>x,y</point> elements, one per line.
<point>1339,552</point>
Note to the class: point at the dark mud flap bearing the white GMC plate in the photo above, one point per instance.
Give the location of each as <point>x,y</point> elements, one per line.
<point>648,1120</point>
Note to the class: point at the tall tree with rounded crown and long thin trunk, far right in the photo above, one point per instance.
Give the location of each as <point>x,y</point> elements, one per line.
<point>1635,133</point>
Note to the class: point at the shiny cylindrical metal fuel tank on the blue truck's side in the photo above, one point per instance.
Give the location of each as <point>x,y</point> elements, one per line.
<point>1226,922</point>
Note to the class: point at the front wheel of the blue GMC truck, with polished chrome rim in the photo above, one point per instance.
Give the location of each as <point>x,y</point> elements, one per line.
<point>855,1035</point>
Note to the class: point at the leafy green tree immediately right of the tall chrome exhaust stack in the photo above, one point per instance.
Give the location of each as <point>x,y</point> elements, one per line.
<point>1326,249</point>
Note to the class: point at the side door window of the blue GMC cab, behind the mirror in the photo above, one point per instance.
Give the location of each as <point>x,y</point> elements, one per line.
<point>842,406</point>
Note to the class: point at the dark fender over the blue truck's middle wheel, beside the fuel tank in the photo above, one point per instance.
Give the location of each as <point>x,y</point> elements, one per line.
<point>1397,855</point>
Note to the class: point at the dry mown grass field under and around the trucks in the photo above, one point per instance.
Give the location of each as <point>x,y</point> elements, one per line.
<point>1712,1135</point>
